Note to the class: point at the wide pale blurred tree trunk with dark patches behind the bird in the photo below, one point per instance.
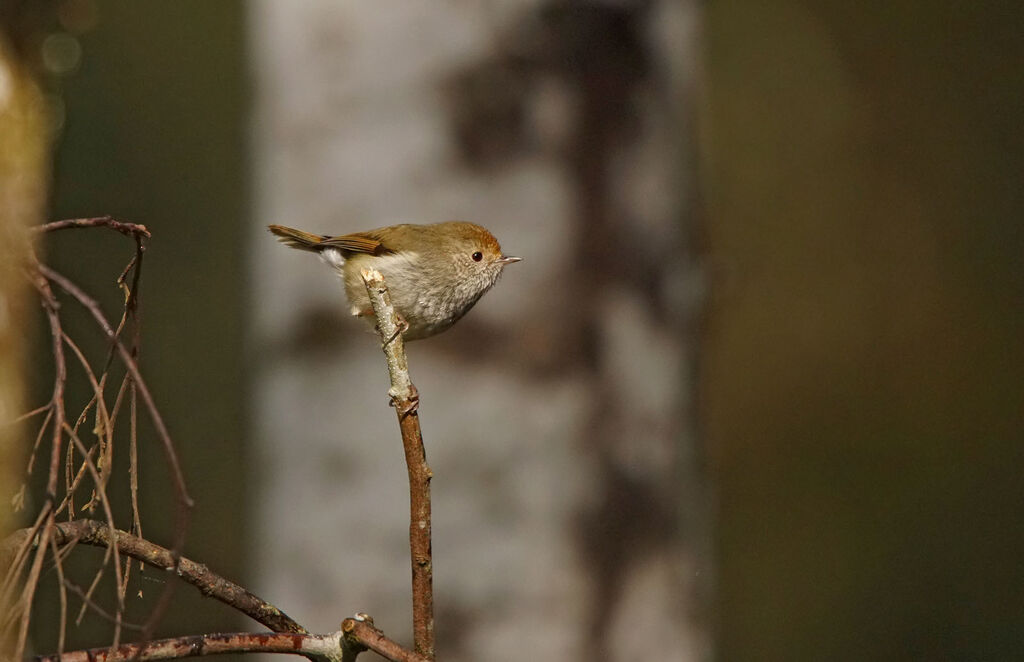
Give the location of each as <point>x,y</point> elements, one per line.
<point>563,127</point>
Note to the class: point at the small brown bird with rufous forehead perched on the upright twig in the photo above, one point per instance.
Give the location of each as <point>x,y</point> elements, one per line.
<point>436,273</point>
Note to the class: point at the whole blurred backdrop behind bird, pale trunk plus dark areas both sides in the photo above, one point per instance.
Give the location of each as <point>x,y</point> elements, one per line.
<point>754,394</point>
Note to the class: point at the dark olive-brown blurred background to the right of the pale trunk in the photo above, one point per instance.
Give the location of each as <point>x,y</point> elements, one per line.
<point>865,351</point>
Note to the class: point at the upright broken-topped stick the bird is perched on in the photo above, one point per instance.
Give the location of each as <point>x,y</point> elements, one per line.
<point>406,401</point>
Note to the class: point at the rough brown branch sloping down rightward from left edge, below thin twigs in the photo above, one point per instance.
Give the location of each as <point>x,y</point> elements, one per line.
<point>209,584</point>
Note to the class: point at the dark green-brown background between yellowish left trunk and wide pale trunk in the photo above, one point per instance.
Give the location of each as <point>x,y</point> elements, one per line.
<point>155,133</point>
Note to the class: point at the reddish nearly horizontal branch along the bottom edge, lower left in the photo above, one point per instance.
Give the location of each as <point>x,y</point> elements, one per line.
<point>316,647</point>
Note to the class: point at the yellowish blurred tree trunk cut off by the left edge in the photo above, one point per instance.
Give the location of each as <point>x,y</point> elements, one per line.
<point>23,191</point>
